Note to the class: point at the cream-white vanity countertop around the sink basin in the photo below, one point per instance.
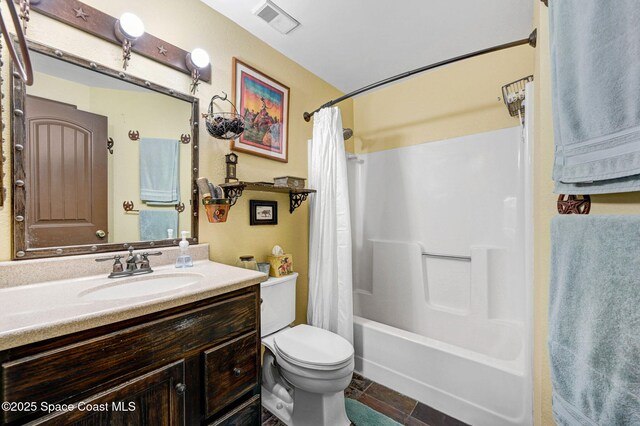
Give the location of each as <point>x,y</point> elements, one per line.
<point>35,312</point>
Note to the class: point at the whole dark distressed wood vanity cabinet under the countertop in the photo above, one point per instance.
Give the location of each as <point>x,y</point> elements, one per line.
<point>197,364</point>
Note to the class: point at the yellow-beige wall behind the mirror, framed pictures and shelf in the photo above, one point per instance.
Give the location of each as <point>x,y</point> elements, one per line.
<point>189,24</point>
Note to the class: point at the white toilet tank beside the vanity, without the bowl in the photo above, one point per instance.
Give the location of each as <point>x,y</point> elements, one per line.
<point>278,307</point>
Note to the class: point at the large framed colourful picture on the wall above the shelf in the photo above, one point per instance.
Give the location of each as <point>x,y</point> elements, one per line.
<point>264,105</point>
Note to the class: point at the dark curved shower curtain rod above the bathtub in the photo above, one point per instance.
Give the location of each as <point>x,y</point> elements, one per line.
<point>531,41</point>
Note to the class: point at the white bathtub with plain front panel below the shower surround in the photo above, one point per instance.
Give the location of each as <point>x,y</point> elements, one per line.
<point>473,387</point>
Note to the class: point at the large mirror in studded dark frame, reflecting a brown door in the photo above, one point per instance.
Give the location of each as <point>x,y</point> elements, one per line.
<point>102,160</point>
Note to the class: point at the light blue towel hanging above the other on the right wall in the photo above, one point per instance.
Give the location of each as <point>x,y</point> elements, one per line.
<point>595,75</point>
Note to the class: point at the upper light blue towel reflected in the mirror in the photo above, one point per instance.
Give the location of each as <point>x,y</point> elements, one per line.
<point>159,171</point>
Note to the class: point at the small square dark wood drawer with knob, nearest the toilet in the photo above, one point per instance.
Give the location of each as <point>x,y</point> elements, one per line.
<point>230,370</point>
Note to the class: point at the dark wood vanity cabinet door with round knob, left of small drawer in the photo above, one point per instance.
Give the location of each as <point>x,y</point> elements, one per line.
<point>154,399</point>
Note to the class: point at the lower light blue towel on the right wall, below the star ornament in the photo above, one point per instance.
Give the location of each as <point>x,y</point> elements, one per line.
<point>594,320</point>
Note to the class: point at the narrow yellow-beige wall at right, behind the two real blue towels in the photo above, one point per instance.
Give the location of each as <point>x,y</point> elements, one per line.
<point>545,209</point>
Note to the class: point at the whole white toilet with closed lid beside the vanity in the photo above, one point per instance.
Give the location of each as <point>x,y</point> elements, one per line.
<point>305,369</point>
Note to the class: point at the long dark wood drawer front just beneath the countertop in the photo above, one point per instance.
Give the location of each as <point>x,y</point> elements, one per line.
<point>77,370</point>
